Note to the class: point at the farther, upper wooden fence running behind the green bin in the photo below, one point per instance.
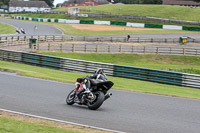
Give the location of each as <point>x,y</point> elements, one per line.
<point>96,39</point>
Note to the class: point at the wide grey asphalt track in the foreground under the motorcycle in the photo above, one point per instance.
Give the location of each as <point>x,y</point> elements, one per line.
<point>125,111</point>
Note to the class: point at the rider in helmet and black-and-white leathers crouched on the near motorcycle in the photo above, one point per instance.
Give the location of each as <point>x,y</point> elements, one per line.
<point>98,75</point>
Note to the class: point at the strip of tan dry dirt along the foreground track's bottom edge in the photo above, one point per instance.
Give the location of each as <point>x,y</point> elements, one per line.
<point>64,126</point>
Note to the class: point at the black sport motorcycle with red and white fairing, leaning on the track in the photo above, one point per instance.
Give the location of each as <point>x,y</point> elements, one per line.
<point>94,96</point>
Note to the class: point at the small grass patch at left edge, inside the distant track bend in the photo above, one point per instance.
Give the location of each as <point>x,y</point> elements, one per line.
<point>6,29</point>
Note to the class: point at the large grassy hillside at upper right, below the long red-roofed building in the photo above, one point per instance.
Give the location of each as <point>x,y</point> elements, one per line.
<point>160,11</point>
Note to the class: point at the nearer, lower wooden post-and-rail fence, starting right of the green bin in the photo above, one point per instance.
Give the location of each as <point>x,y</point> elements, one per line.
<point>102,48</point>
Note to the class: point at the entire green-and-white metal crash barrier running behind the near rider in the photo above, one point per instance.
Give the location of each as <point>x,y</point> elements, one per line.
<point>65,64</point>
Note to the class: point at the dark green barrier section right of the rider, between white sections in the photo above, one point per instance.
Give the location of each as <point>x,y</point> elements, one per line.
<point>166,77</point>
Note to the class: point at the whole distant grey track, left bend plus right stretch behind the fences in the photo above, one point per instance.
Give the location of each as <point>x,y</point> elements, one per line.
<point>43,29</point>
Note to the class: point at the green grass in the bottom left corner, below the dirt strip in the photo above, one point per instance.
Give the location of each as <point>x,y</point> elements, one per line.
<point>15,126</point>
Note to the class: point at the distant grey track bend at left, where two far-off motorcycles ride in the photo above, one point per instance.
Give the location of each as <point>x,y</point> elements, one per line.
<point>30,28</point>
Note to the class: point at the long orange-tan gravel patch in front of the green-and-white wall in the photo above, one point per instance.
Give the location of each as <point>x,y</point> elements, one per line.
<point>88,27</point>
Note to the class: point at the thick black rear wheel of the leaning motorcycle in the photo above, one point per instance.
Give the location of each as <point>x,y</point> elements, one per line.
<point>97,102</point>
